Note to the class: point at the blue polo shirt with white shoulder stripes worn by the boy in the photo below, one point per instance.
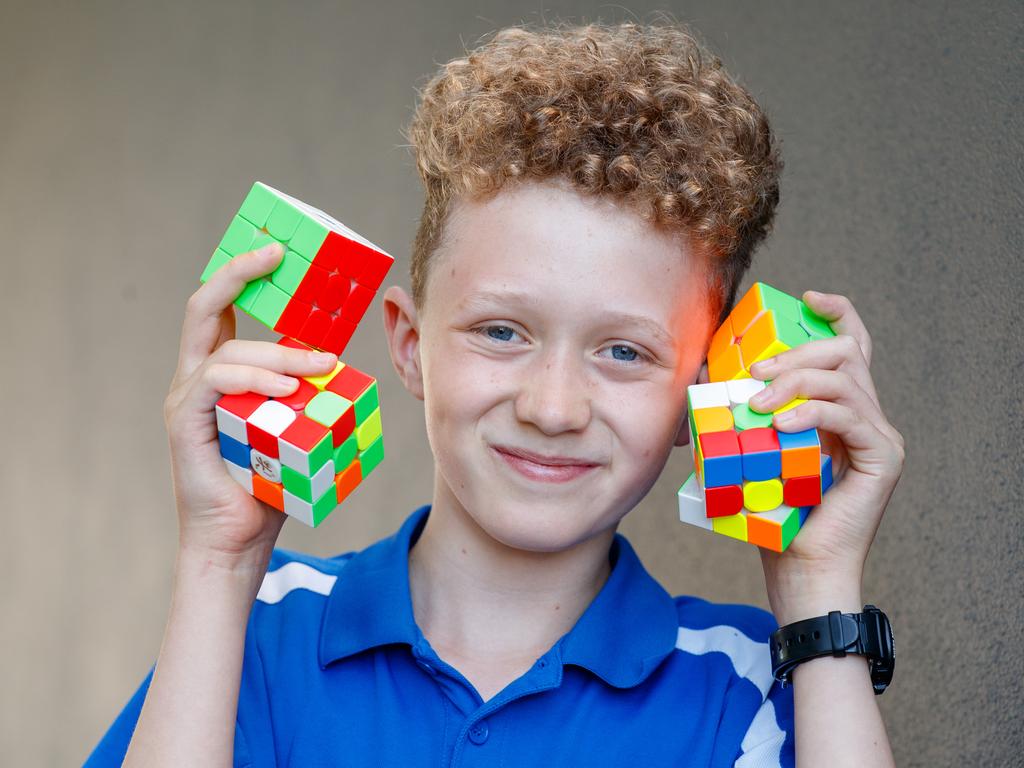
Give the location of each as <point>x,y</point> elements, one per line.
<point>337,673</point>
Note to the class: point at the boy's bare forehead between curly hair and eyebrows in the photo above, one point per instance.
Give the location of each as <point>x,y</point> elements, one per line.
<point>541,243</point>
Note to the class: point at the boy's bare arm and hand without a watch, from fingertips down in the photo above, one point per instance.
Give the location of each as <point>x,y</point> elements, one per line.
<point>226,535</point>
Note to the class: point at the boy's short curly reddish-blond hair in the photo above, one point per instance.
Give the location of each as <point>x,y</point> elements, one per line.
<point>644,114</point>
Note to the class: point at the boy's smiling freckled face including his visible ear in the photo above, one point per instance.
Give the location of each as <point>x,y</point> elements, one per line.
<point>558,338</point>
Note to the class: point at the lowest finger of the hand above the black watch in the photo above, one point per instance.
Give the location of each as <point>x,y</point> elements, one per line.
<point>869,450</point>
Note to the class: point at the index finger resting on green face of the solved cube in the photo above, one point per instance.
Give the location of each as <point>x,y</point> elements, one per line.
<point>203,324</point>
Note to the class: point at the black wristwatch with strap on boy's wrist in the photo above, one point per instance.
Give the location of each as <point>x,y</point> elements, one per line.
<point>869,634</point>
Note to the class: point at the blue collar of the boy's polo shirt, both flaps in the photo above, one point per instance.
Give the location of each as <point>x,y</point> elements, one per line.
<point>626,632</point>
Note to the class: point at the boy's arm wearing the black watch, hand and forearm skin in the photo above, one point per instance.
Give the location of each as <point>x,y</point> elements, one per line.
<point>837,718</point>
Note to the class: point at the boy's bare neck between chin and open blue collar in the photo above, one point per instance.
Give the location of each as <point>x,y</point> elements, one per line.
<point>479,602</point>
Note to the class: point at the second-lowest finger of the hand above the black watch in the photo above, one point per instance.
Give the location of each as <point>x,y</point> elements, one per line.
<point>817,385</point>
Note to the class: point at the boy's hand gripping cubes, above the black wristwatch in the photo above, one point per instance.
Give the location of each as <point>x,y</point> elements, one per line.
<point>822,569</point>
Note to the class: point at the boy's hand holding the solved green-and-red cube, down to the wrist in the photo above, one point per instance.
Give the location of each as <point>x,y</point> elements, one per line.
<point>217,517</point>
